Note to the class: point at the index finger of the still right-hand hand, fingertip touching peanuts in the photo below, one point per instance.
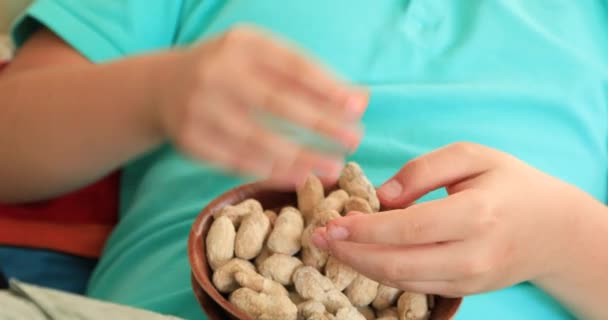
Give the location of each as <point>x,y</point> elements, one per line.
<point>443,220</point>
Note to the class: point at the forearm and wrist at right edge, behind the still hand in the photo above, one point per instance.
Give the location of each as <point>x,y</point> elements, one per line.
<point>580,280</point>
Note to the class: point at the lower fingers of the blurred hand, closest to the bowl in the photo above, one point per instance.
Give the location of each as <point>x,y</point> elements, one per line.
<point>253,150</point>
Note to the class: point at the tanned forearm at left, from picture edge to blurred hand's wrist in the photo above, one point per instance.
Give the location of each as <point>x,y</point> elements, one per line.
<point>63,127</point>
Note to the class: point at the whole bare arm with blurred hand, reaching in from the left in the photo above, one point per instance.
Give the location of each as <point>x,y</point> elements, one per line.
<point>66,122</point>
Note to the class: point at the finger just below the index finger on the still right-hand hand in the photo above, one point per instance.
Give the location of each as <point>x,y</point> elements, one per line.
<point>397,264</point>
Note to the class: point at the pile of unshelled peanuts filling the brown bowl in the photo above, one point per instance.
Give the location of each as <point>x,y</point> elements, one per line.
<point>267,265</point>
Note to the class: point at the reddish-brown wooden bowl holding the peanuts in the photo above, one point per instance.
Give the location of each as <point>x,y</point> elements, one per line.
<point>215,305</point>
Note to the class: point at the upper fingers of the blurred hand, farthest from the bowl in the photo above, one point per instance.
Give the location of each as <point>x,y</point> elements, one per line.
<point>277,78</point>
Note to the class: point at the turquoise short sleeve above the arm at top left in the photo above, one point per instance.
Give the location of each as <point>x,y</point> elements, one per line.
<point>103,30</point>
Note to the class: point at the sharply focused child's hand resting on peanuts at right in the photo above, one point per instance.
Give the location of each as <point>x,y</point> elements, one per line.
<point>503,222</point>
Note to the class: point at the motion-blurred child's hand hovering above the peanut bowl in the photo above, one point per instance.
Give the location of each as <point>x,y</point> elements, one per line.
<point>220,88</point>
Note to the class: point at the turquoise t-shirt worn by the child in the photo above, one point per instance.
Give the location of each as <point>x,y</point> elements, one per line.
<point>526,77</point>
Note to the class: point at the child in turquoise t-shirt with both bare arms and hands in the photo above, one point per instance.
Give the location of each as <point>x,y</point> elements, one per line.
<point>522,77</point>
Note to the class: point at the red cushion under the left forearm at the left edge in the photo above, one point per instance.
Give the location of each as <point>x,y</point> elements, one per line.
<point>78,223</point>
